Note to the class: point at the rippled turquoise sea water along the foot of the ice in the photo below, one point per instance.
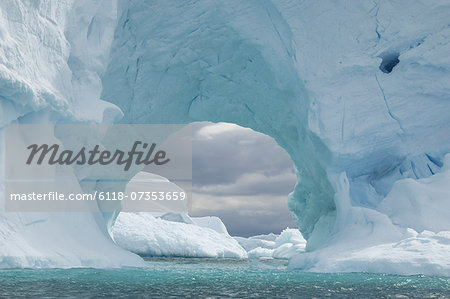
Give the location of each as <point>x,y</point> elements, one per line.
<point>211,278</point>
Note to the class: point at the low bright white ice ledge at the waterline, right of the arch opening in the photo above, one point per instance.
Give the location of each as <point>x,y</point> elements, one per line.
<point>425,253</point>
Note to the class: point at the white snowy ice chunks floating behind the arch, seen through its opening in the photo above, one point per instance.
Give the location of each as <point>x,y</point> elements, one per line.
<point>179,235</point>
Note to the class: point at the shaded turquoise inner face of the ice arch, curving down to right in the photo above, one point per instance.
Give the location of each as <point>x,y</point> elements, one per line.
<point>206,66</point>
